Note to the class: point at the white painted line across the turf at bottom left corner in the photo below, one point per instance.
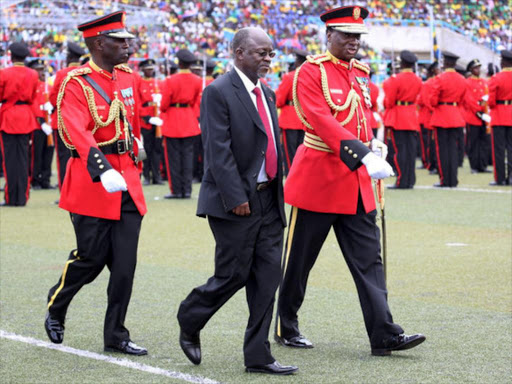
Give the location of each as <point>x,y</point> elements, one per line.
<point>109,359</point>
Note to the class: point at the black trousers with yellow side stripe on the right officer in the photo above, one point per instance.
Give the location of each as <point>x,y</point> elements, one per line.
<point>359,239</point>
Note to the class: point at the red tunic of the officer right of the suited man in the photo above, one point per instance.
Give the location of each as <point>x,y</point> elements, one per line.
<point>330,182</point>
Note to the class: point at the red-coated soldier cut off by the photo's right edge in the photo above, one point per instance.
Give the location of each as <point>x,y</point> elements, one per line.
<point>500,101</point>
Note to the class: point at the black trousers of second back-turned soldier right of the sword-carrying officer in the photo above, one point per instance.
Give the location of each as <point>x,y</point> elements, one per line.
<point>447,155</point>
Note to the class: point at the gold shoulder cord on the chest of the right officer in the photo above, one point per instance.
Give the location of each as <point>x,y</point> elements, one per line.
<point>353,100</point>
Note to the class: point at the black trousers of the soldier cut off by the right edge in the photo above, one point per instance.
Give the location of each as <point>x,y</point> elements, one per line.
<point>501,145</point>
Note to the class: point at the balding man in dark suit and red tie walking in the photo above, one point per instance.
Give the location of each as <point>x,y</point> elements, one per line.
<point>242,196</point>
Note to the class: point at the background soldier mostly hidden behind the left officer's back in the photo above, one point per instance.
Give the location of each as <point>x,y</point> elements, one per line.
<point>72,61</point>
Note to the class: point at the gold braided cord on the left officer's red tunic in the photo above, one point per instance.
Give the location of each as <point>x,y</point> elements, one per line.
<point>116,108</point>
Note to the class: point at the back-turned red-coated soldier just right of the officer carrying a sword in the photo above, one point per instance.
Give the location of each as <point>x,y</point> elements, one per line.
<point>400,100</point>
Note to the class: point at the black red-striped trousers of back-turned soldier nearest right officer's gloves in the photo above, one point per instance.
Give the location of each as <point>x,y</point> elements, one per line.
<point>405,147</point>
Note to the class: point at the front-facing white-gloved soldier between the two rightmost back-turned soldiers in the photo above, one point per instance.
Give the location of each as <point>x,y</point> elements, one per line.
<point>477,96</point>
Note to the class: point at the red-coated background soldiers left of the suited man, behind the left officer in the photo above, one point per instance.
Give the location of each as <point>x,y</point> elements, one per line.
<point>168,109</point>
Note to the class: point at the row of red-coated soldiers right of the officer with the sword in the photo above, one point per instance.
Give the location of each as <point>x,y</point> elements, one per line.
<point>438,110</point>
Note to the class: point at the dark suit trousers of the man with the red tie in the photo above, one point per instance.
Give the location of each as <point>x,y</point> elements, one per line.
<point>247,254</point>
